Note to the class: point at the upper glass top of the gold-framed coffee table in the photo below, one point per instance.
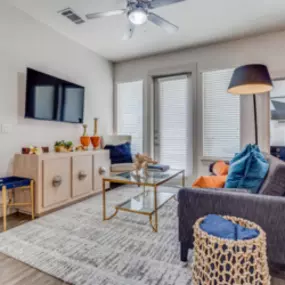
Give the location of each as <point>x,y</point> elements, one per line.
<point>154,178</point>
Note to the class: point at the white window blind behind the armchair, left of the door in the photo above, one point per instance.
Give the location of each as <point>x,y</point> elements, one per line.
<point>130,113</point>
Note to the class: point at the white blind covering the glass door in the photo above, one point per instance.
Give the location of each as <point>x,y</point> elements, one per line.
<point>172,122</point>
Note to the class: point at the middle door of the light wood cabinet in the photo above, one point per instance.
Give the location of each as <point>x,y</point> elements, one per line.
<point>81,175</point>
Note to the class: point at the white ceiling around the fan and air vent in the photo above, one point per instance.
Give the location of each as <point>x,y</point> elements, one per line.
<point>200,21</point>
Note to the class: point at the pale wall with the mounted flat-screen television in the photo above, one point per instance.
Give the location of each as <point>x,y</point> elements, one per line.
<point>24,43</point>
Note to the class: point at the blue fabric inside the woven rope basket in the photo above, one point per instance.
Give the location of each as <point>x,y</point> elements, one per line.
<point>218,226</point>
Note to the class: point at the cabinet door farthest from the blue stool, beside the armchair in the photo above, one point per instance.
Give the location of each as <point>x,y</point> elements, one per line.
<point>101,168</point>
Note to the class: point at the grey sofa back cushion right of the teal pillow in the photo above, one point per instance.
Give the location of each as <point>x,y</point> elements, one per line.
<point>274,183</point>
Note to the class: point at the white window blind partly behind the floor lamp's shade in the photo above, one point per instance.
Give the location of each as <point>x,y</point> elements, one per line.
<point>221,115</point>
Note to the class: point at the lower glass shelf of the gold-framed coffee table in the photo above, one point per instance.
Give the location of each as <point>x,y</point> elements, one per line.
<point>144,202</point>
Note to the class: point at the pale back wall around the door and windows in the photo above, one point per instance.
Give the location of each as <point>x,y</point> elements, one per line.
<point>267,49</point>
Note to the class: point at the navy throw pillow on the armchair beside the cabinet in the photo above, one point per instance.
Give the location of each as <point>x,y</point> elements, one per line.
<point>120,153</point>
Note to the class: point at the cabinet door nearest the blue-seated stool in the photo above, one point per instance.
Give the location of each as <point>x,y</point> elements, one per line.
<point>56,181</point>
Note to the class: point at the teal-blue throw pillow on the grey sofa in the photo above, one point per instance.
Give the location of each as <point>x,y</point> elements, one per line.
<point>248,169</point>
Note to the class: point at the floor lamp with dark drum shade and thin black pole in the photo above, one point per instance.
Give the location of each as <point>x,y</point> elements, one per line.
<point>251,79</point>
